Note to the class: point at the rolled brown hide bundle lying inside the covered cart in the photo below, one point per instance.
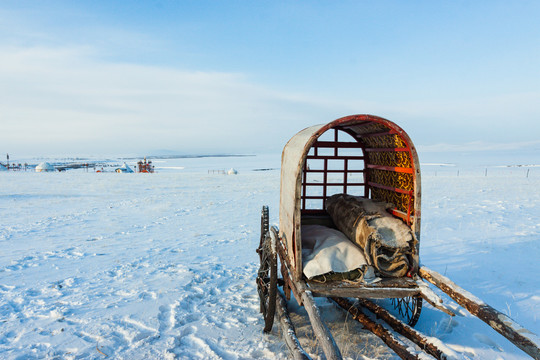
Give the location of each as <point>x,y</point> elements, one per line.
<point>386,241</point>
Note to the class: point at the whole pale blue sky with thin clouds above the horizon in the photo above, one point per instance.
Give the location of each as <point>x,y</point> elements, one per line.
<point>116,77</point>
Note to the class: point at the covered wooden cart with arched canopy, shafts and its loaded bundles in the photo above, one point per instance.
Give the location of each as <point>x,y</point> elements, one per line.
<point>349,228</point>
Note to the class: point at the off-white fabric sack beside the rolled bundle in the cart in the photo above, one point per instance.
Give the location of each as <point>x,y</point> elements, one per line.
<point>325,249</point>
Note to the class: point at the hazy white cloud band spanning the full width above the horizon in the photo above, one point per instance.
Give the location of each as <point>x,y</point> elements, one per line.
<point>64,100</point>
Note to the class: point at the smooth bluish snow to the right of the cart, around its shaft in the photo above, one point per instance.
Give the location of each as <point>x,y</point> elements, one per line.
<point>483,233</point>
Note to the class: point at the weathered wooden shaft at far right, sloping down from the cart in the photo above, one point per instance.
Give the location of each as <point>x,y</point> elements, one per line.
<point>519,336</point>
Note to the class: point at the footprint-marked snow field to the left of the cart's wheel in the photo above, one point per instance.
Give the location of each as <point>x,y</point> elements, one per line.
<point>146,266</point>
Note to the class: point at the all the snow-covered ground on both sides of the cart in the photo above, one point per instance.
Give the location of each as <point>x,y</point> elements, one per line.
<point>162,266</point>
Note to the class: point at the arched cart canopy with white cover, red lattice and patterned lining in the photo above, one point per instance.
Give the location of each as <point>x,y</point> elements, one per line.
<point>362,155</point>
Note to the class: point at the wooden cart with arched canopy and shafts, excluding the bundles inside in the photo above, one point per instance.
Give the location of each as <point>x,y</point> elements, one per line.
<point>371,157</point>
